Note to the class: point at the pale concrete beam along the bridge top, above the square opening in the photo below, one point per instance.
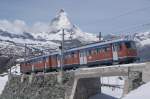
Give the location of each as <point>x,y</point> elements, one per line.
<point>117,70</point>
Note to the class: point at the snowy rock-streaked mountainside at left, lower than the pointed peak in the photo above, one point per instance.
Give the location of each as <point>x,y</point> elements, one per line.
<point>15,43</point>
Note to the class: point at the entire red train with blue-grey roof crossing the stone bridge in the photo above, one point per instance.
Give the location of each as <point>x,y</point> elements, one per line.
<point>95,54</point>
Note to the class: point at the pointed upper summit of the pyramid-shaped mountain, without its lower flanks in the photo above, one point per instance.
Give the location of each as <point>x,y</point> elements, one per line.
<point>61,21</point>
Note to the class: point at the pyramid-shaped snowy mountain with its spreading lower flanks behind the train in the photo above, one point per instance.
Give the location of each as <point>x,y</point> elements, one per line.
<point>61,21</point>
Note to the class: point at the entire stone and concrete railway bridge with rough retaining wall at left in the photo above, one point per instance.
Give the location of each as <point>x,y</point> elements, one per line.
<point>78,84</point>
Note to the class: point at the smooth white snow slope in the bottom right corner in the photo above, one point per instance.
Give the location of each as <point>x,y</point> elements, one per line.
<point>142,92</point>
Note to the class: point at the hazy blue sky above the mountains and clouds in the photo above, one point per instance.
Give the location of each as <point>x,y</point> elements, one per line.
<point>107,16</point>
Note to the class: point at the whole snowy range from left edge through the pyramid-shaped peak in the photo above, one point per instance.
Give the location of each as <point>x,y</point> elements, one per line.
<point>47,40</point>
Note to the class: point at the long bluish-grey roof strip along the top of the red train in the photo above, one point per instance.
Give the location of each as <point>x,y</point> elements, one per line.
<point>83,47</point>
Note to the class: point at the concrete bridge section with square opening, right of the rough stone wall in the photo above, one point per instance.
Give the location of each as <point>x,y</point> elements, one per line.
<point>87,80</point>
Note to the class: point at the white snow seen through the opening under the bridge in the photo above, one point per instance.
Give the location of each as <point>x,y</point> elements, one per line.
<point>109,92</point>
